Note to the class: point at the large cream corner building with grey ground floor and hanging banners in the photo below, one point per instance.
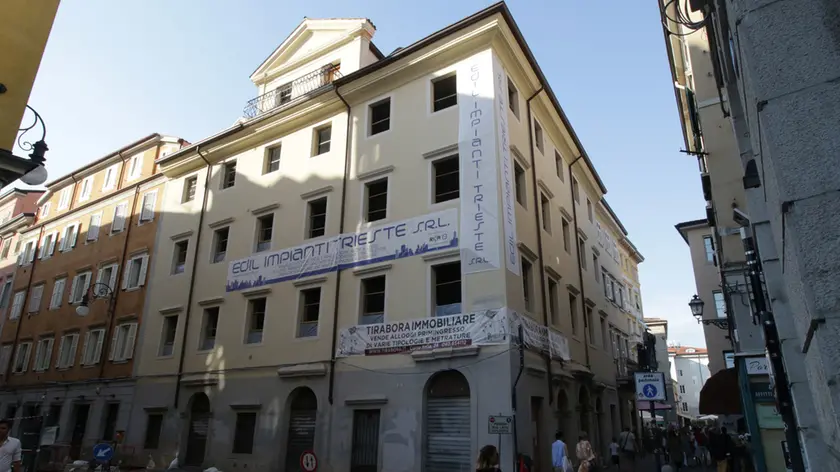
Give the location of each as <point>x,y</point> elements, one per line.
<point>361,252</point>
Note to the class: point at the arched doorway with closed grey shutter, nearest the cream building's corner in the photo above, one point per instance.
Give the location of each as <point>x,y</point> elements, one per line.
<point>448,438</point>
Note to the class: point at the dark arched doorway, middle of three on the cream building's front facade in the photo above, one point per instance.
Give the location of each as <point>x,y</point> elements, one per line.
<point>303,413</point>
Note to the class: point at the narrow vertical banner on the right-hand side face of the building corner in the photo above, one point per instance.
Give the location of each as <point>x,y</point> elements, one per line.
<point>510,248</point>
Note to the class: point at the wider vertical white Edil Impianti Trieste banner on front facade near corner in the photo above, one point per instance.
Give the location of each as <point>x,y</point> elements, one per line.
<point>480,245</point>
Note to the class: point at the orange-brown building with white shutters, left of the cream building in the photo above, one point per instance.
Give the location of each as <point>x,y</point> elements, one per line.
<point>92,238</point>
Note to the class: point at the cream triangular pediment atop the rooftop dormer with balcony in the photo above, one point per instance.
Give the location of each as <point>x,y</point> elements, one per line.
<point>312,38</point>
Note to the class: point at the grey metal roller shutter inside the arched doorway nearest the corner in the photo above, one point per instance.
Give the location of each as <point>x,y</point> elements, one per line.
<point>448,443</point>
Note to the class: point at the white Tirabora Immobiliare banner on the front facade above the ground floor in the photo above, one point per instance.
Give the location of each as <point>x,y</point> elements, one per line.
<point>470,329</point>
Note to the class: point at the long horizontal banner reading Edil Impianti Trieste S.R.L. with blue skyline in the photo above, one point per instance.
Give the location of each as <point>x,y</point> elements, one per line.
<point>406,238</point>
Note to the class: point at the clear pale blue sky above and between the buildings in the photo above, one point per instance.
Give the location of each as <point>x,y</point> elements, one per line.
<point>115,71</point>
